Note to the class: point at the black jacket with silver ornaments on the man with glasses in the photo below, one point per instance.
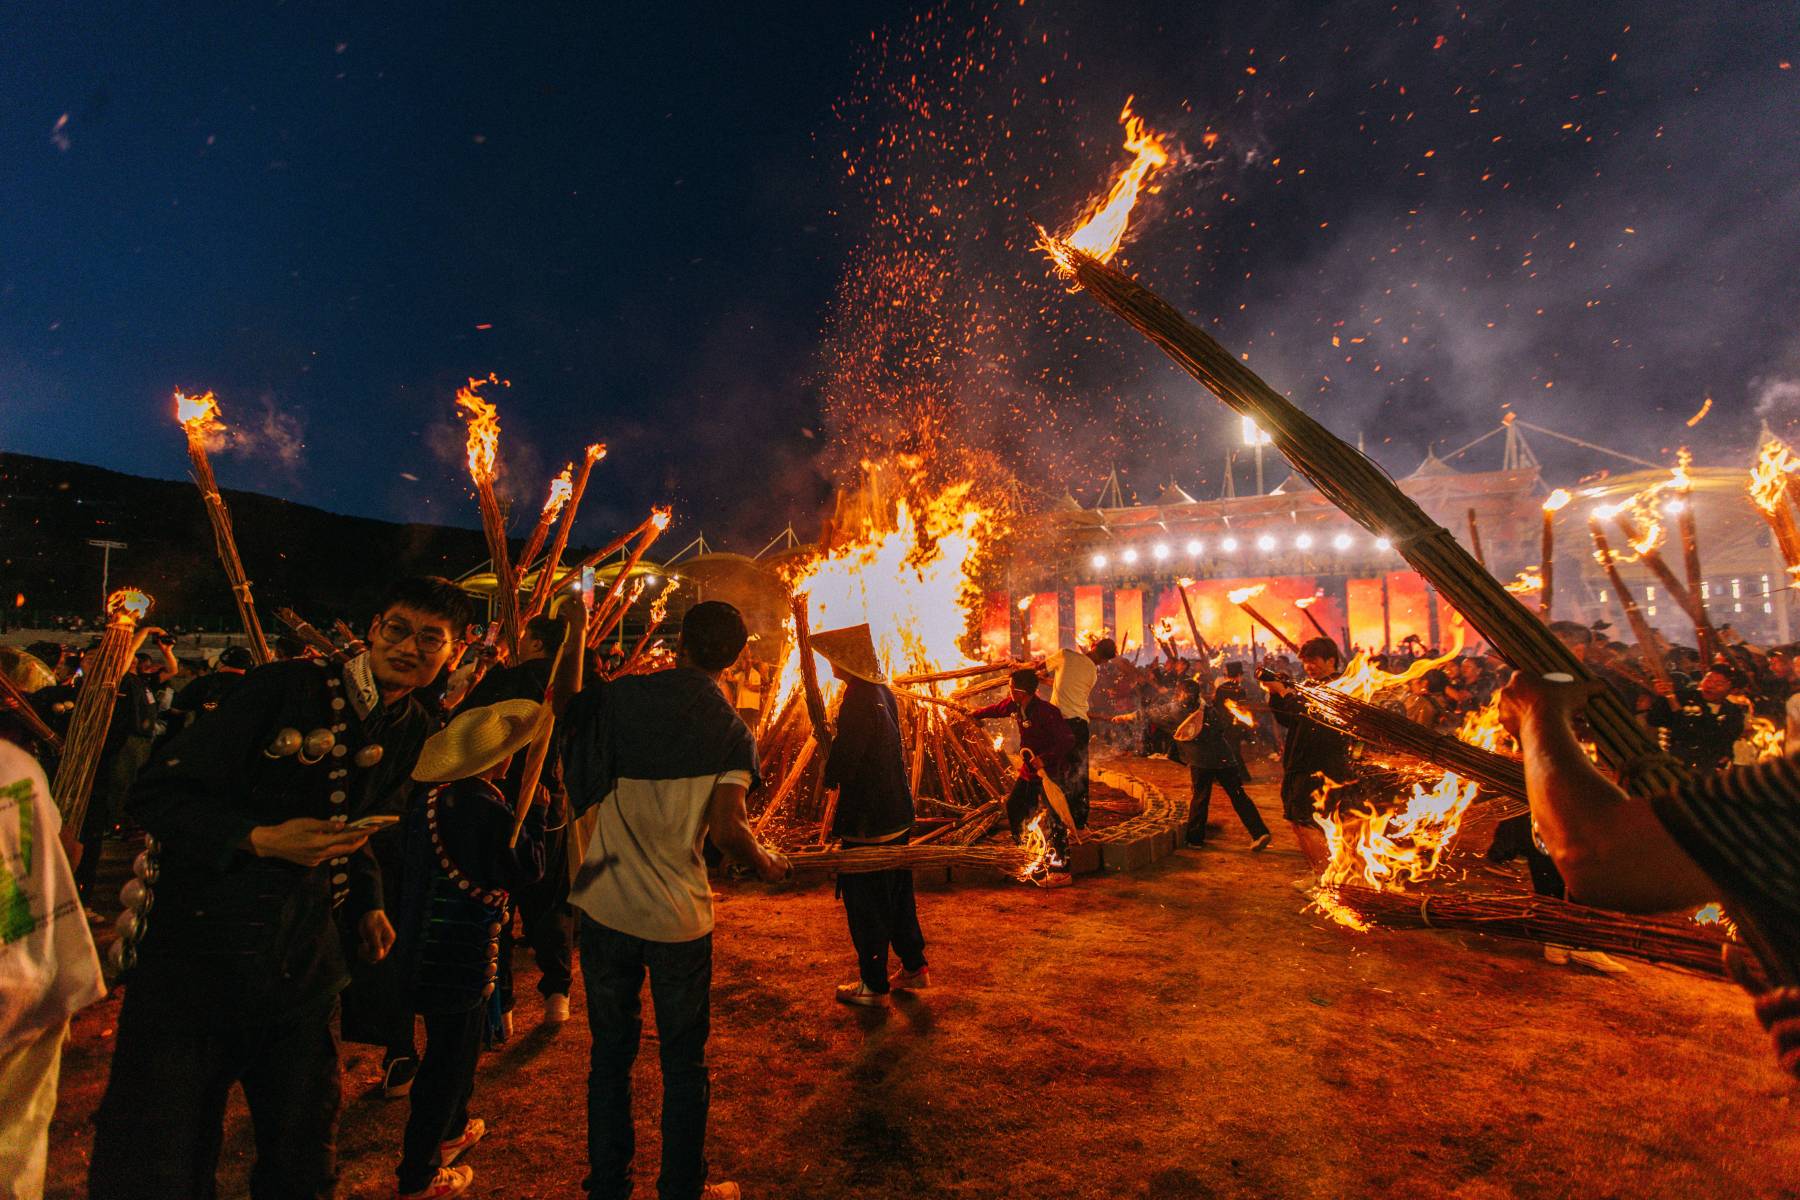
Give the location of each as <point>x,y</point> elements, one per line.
<point>235,938</point>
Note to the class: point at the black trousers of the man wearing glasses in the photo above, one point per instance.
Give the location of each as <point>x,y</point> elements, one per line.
<point>159,1127</point>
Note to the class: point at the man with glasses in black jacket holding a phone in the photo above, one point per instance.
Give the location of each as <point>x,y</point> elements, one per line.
<point>260,814</point>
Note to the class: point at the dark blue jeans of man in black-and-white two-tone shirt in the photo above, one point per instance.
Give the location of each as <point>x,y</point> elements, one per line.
<point>681,983</point>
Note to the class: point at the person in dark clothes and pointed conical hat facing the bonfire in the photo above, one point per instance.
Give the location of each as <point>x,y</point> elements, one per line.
<point>867,767</point>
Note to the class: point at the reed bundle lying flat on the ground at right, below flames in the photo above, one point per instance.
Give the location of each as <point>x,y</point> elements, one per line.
<point>1543,918</point>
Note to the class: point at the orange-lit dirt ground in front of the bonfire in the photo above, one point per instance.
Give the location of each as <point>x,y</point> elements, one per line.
<point>1178,1034</point>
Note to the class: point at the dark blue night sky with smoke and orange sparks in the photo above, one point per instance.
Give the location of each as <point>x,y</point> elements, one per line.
<point>748,246</point>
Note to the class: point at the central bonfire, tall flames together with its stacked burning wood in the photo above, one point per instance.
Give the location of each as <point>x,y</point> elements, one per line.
<point>906,569</point>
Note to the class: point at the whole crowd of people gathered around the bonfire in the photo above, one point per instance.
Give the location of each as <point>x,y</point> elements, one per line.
<point>341,846</point>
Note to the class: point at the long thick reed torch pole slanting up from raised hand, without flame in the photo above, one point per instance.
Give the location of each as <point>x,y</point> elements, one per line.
<point>1374,501</point>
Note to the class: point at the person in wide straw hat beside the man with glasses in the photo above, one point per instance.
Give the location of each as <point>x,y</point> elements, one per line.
<point>460,875</point>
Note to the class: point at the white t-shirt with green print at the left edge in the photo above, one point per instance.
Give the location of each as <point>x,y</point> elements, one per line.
<point>49,969</point>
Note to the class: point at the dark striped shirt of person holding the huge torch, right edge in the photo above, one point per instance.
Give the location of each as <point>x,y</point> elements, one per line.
<point>1743,828</point>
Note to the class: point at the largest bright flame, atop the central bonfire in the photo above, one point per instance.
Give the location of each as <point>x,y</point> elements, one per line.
<point>910,573</point>
